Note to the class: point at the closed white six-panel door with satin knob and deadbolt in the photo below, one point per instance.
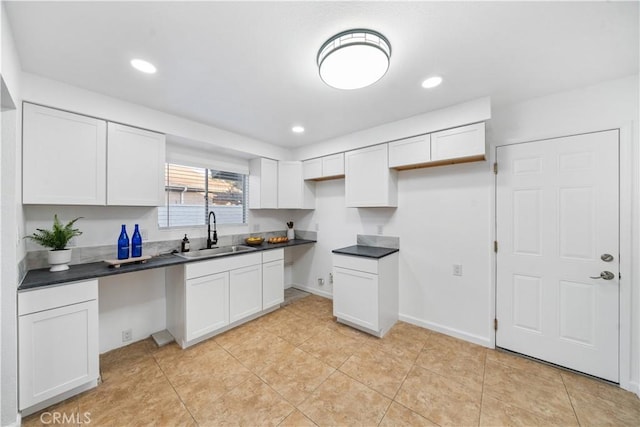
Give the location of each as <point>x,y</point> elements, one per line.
<point>557,219</point>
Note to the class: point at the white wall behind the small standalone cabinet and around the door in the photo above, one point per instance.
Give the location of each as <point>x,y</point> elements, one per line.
<point>445,216</point>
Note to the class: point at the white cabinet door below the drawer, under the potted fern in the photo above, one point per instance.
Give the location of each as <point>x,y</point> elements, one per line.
<point>58,351</point>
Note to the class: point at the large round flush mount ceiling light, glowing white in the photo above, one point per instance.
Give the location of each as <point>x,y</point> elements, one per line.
<point>354,59</point>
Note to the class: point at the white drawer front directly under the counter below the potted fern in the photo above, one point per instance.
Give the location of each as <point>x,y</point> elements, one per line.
<point>56,296</point>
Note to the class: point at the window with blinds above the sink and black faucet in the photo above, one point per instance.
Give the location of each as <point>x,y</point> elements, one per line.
<point>192,192</point>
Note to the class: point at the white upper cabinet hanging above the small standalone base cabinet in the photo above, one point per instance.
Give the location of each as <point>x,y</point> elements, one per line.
<point>368,180</point>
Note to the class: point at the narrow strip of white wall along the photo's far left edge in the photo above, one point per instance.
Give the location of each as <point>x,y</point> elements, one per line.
<point>11,223</point>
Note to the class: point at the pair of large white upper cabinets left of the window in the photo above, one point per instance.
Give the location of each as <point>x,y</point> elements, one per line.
<point>71,159</point>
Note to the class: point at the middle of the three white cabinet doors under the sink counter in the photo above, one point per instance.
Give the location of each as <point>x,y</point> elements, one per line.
<point>245,292</point>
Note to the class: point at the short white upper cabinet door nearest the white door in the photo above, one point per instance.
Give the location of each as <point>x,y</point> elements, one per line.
<point>465,141</point>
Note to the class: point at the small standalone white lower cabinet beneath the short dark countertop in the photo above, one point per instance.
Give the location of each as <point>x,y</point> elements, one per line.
<point>365,292</point>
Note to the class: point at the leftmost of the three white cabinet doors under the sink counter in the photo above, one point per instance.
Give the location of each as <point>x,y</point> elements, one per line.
<point>207,305</point>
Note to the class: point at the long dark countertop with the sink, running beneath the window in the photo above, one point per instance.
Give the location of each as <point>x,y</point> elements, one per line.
<point>42,277</point>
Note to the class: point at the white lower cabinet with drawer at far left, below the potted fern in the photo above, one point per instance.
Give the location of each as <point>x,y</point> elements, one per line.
<point>57,343</point>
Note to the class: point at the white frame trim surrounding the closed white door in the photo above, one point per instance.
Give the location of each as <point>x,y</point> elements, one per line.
<point>625,180</point>
